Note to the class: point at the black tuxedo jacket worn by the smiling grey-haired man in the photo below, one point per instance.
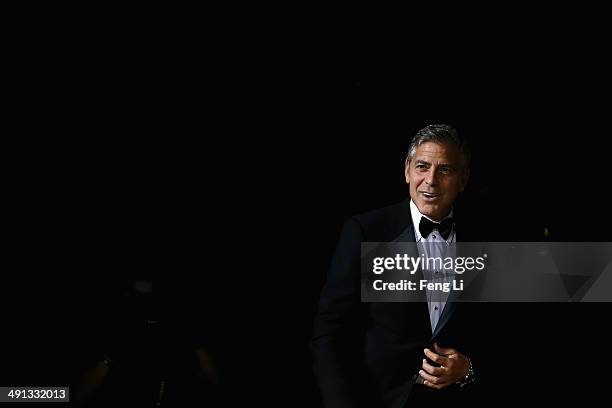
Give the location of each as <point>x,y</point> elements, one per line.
<point>369,354</point>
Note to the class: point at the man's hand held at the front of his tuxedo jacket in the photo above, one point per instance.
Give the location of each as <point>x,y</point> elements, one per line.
<point>453,366</point>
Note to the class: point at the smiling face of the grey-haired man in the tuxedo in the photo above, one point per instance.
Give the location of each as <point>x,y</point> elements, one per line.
<point>435,176</point>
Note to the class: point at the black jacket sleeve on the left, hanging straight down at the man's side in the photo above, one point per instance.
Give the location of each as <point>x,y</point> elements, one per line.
<point>337,333</point>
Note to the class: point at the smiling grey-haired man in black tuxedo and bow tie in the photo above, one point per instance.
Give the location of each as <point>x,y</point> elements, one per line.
<point>399,354</point>
